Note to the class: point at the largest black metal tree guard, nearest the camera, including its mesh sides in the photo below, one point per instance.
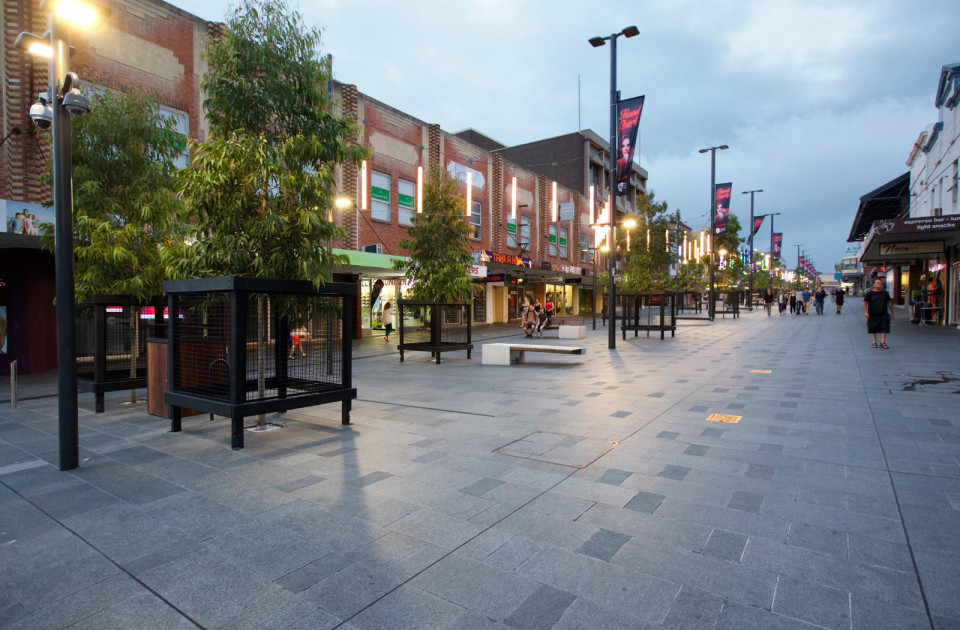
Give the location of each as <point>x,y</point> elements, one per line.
<point>242,346</point>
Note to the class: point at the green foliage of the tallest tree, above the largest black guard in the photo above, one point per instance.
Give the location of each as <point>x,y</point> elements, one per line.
<point>261,189</point>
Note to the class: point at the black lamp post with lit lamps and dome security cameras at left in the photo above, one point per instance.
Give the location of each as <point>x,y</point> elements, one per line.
<point>53,111</point>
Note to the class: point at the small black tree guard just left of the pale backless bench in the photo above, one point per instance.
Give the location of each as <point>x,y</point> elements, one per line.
<point>434,327</point>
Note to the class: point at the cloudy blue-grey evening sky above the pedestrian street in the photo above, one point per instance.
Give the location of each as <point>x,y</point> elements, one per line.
<point>820,101</point>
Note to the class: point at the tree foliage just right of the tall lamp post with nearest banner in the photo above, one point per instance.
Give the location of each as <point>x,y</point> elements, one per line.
<point>648,267</point>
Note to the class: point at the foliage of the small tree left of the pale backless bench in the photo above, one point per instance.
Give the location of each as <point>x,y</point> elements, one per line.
<point>438,243</point>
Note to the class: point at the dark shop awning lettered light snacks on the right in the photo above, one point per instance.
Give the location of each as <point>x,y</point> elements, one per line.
<point>900,240</point>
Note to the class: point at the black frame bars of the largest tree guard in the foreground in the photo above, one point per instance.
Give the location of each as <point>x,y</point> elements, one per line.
<point>229,397</point>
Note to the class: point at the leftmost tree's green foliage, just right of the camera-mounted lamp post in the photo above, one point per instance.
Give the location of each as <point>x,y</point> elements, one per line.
<point>125,209</point>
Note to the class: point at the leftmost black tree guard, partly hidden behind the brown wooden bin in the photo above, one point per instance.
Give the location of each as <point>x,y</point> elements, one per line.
<point>112,333</point>
